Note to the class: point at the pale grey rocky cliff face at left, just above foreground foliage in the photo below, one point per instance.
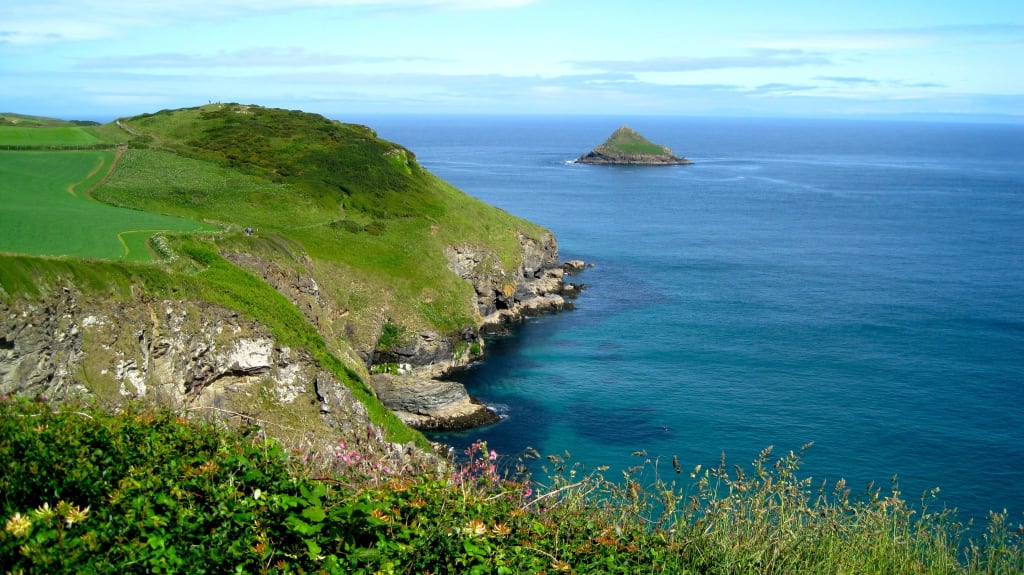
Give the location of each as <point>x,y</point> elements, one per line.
<point>192,357</point>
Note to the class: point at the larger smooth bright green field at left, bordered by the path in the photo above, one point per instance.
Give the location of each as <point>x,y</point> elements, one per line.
<point>47,211</point>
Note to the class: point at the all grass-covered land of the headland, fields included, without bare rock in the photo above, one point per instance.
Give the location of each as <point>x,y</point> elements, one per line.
<point>159,205</point>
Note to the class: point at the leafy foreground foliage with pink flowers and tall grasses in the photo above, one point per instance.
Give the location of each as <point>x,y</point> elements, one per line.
<point>86,492</point>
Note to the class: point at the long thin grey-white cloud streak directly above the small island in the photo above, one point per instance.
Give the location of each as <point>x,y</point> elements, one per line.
<point>756,59</point>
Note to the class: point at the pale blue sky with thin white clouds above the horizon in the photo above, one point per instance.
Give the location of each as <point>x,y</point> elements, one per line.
<point>108,59</point>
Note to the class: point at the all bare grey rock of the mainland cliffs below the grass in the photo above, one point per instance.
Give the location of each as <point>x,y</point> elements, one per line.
<point>205,359</point>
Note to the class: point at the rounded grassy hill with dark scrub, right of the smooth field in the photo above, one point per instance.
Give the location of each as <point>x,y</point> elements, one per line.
<point>358,205</point>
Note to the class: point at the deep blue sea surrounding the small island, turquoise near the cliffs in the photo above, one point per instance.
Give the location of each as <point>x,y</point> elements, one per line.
<point>857,285</point>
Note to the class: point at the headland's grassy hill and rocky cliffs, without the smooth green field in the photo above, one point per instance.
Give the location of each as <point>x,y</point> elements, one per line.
<point>345,279</point>
